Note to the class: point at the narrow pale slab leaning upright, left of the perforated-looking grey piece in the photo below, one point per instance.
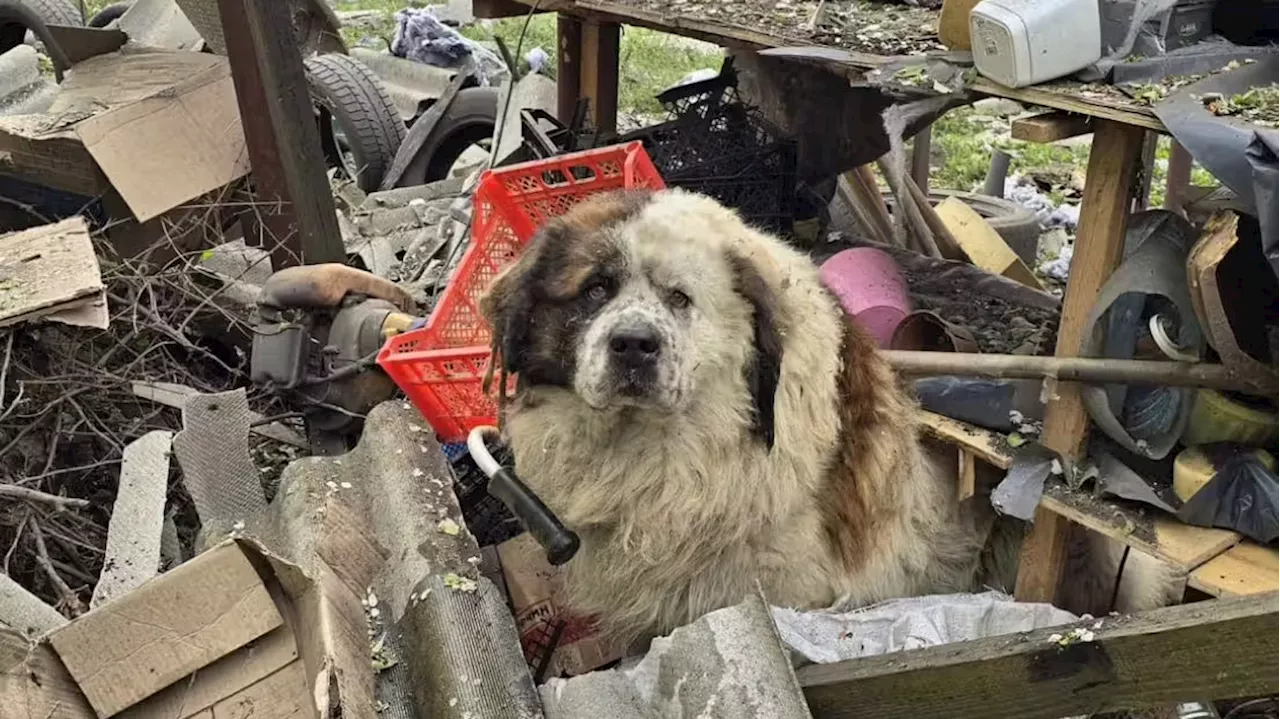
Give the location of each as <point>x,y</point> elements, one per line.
<point>138,519</point>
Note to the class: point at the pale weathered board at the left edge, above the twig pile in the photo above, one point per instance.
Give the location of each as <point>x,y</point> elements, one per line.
<point>52,273</point>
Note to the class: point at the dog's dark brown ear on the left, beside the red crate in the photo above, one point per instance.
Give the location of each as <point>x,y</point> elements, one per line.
<point>509,304</point>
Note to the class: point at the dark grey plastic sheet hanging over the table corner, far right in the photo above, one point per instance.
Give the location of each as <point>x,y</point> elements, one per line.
<point>1242,157</point>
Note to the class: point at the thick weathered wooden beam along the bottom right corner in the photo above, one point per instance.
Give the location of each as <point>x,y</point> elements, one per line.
<point>1131,663</point>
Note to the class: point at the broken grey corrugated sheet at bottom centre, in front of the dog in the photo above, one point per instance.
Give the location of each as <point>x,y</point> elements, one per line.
<point>729,665</point>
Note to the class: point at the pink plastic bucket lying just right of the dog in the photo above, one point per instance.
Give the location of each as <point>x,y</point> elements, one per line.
<point>871,288</point>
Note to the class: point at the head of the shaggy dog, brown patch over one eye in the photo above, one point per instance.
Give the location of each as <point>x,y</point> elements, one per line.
<point>641,300</point>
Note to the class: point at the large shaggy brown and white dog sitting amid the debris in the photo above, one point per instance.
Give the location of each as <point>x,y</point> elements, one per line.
<point>700,409</point>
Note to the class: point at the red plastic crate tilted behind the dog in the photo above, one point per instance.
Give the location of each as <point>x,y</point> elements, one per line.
<point>441,367</point>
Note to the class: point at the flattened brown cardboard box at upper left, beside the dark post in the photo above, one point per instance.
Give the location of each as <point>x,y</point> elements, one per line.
<point>162,129</point>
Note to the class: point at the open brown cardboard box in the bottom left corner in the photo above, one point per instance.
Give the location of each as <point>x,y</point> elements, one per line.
<point>234,634</point>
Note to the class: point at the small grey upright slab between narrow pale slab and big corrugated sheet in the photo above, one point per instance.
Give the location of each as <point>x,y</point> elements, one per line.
<point>213,451</point>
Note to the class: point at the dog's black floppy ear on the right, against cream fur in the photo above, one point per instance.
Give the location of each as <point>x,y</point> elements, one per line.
<point>765,372</point>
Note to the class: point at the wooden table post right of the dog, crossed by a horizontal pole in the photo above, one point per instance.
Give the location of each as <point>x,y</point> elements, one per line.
<point>1099,249</point>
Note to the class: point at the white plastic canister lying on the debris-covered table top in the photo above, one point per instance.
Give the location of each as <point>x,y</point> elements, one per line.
<point>1022,43</point>
